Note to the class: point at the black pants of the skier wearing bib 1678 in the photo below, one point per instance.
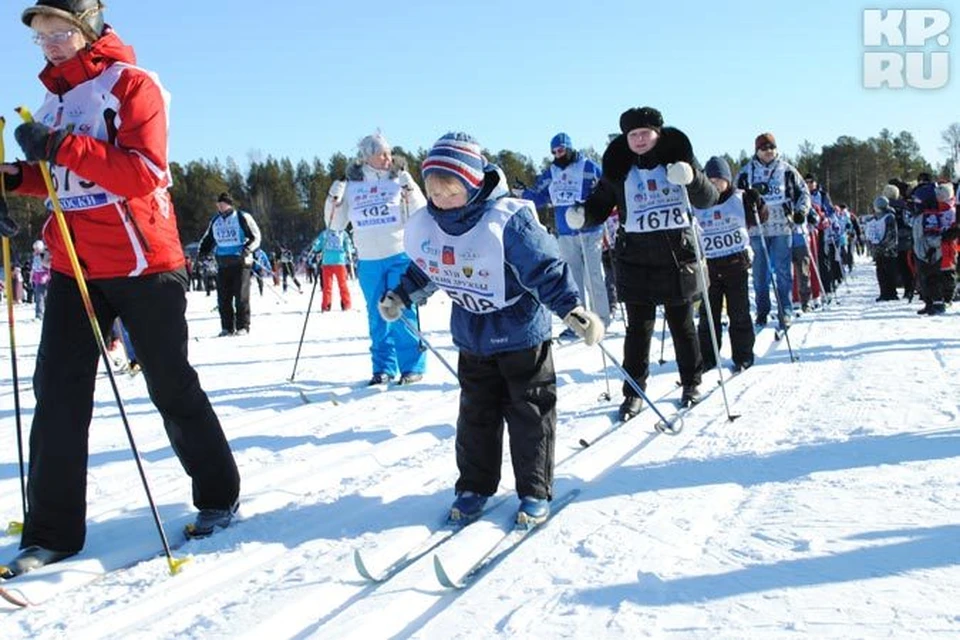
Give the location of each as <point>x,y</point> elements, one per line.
<point>641,318</point>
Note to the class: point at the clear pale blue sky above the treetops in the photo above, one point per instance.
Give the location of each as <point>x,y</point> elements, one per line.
<point>305,78</point>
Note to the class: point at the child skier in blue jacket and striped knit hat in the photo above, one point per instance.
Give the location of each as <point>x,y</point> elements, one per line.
<point>503,271</point>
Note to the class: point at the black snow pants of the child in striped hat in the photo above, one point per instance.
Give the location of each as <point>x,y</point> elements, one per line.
<point>519,388</point>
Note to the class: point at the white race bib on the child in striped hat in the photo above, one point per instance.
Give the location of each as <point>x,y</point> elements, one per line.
<point>470,267</point>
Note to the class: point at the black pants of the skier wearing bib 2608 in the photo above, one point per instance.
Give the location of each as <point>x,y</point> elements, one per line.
<point>732,287</point>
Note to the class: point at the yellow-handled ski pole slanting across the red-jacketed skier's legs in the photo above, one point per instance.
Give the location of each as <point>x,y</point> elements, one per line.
<point>173,563</point>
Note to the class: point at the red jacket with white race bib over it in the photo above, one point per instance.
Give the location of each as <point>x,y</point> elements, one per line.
<point>111,172</point>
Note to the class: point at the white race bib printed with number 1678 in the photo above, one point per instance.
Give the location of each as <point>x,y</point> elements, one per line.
<point>653,203</point>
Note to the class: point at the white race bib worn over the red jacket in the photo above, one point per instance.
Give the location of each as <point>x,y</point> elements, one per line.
<point>91,108</point>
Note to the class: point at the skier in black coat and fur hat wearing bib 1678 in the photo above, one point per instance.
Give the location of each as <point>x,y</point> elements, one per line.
<point>651,175</point>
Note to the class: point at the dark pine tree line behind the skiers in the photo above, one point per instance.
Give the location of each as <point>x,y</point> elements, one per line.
<point>287,199</point>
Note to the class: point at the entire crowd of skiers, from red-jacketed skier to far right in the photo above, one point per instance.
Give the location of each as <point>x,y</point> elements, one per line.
<point>648,227</point>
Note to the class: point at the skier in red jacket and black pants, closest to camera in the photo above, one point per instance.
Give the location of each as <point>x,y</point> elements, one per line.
<point>103,129</point>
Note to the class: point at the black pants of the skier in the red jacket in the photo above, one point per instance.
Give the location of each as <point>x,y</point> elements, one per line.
<point>152,309</point>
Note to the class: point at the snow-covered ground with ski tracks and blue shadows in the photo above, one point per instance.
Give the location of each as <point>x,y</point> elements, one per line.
<point>827,510</point>
